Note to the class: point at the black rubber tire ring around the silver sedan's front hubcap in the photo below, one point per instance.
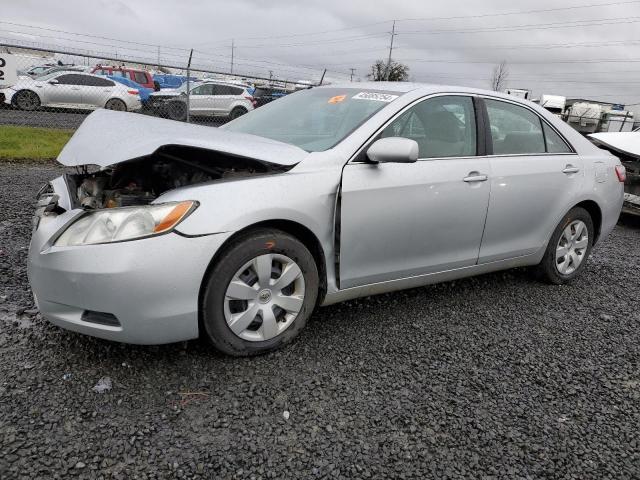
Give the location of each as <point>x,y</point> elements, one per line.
<point>242,251</point>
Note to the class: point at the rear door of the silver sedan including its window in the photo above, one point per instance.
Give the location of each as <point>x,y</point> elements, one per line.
<point>536,178</point>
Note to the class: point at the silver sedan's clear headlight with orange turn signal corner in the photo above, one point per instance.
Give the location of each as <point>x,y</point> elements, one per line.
<point>120,224</point>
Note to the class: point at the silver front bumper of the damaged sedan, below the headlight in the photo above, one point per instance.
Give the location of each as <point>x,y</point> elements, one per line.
<point>150,287</point>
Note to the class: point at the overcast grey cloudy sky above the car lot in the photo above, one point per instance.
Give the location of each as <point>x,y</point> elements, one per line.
<point>453,42</point>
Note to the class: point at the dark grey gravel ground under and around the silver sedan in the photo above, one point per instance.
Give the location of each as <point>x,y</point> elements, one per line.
<point>492,377</point>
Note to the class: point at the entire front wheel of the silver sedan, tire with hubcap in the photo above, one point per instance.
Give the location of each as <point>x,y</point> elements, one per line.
<point>240,263</point>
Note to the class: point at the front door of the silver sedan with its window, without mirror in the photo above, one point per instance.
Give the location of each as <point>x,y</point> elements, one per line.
<point>402,220</point>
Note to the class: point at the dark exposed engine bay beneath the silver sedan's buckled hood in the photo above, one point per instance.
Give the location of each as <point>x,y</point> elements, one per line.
<point>142,180</point>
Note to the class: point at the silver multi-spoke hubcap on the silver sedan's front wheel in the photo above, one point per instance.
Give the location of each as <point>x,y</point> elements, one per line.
<point>264,297</point>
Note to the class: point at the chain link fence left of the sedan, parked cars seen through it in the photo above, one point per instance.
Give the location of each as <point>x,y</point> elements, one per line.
<point>41,87</point>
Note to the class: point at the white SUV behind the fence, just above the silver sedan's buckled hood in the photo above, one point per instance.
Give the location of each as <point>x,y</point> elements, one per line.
<point>207,99</point>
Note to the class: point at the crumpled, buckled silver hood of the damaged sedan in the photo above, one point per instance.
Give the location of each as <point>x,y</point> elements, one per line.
<point>106,138</point>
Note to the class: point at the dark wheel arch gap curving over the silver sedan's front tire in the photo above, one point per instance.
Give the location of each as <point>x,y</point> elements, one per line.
<point>295,229</point>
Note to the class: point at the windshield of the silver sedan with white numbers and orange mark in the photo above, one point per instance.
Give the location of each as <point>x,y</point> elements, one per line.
<point>314,120</point>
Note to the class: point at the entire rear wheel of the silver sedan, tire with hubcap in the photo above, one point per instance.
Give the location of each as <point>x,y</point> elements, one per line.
<point>559,269</point>
